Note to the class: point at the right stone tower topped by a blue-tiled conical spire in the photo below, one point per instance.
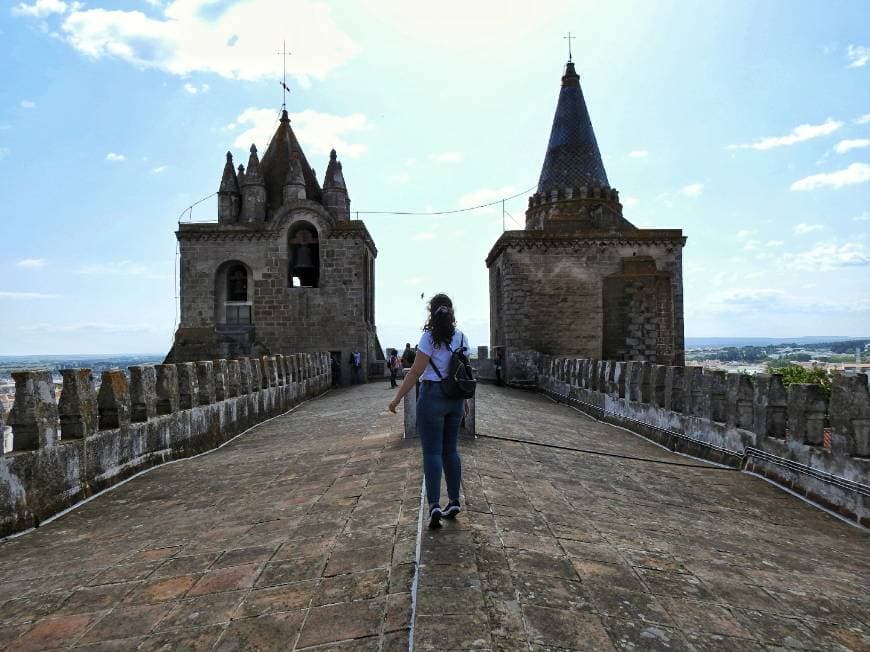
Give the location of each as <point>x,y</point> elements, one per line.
<point>581,280</point>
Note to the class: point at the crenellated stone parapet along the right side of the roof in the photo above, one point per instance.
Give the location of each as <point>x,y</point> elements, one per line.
<point>719,416</point>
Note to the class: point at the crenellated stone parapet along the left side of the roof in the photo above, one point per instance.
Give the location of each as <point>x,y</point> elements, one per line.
<point>64,450</point>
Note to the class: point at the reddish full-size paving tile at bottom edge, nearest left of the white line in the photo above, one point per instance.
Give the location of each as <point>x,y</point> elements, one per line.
<point>342,621</point>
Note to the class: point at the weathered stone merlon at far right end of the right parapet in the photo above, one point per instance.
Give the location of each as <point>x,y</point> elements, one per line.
<point>850,416</point>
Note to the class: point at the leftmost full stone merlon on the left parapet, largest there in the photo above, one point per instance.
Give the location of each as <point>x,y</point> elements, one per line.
<point>33,417</point>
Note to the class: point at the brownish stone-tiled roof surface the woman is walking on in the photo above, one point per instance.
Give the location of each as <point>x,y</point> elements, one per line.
<point>301,534</point>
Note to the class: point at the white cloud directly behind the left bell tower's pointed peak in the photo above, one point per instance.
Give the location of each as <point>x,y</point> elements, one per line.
<point>319,131</point>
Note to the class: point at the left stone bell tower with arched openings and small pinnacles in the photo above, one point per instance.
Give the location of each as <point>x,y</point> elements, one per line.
<point>284,268</point>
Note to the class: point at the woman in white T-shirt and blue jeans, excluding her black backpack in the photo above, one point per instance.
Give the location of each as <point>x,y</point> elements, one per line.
<point>438,417</point>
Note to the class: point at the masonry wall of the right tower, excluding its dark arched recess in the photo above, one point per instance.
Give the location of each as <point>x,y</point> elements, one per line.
<point>548,296</point>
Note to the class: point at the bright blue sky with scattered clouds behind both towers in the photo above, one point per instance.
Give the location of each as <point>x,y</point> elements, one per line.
<point>745,124</point>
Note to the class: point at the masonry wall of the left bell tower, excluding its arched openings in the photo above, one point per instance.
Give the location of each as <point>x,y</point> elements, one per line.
<point>330,317</point>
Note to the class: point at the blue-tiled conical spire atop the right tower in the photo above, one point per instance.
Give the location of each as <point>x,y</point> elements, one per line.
<point>573,159</point>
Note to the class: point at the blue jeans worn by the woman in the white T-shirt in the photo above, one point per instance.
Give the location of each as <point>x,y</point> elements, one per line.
<point>438,420</point>
